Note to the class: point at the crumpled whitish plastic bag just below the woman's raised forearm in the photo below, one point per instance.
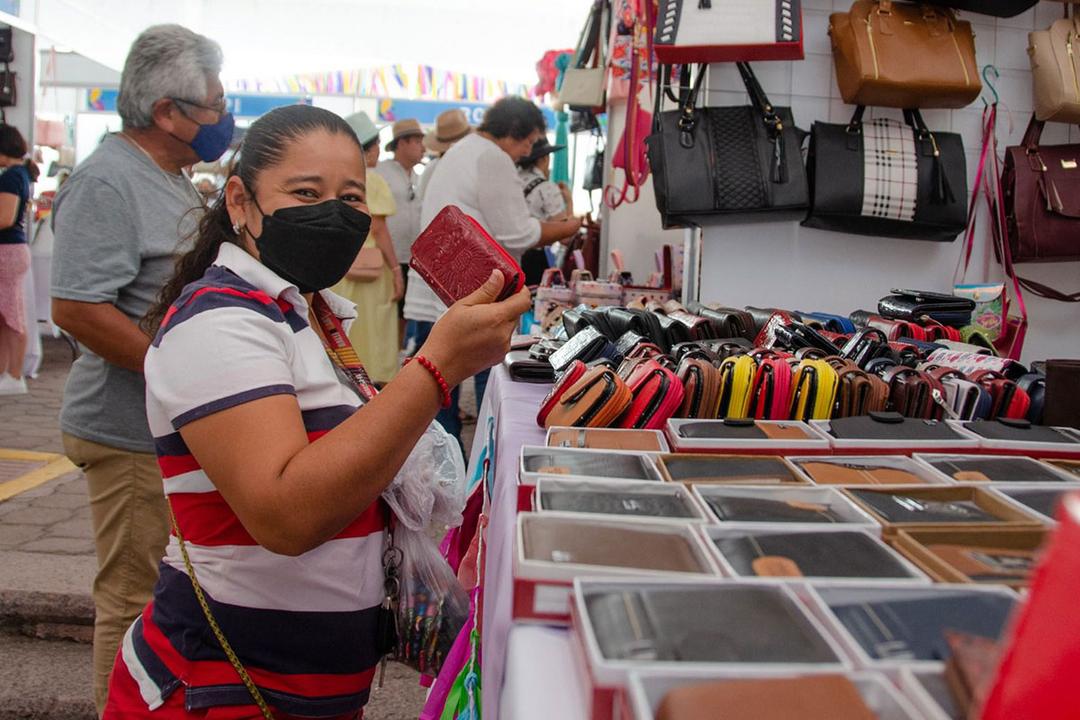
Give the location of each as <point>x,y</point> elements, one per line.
<point>430,487</point>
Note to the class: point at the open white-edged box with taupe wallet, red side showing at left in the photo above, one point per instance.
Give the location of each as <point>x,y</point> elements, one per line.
<point>553,550</point>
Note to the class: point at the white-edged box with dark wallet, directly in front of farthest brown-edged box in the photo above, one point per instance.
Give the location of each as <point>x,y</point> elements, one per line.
<point>789,506</point>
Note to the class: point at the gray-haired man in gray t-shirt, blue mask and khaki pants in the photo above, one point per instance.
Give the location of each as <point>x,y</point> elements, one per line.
<point>120,222</point>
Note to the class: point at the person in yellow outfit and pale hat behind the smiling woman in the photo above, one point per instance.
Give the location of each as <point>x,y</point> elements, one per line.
<point>374,334</point>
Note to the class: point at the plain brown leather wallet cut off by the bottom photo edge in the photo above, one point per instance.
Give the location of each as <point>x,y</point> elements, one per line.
<point>817,698</point>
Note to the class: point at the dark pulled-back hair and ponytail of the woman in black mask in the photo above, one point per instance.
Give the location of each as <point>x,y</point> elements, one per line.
<point>264,146</point>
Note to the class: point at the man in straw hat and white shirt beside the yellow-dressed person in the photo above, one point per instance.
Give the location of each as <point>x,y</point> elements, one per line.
<point>400,174</point>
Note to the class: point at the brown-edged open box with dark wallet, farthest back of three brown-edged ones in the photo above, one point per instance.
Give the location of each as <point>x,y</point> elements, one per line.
<point>728,470</point>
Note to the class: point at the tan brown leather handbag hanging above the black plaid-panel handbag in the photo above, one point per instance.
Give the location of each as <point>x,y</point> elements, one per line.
<point>901,56</point>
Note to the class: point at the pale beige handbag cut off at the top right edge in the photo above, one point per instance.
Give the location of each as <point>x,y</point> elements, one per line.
<point>1056,70</point>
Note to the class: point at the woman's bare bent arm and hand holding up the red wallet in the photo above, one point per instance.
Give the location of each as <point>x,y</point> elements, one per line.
<point>293,496</point>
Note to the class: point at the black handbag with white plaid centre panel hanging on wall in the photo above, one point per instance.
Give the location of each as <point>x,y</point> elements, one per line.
<point>887,180</point>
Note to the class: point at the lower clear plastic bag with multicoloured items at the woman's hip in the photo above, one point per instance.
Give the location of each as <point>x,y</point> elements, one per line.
<point>433,607</point>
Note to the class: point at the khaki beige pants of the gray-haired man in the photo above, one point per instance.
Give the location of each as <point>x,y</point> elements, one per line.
<point>131,531</point>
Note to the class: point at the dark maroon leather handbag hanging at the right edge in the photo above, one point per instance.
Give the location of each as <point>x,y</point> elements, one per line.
<point>1043,203</point>
